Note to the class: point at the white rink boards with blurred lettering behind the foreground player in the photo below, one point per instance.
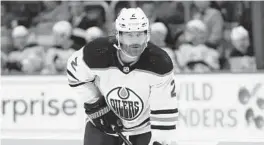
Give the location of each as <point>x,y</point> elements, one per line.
<point>210,109</point>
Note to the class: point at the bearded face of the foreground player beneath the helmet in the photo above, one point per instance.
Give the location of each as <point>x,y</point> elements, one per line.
<point>133,43</point>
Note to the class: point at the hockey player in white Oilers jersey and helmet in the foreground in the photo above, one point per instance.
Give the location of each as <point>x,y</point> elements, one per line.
<point>127,84</point>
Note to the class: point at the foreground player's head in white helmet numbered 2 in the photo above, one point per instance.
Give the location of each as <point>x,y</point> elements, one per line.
<point>132,20</point>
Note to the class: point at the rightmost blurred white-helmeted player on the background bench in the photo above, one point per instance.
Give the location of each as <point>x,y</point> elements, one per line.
<point>241,58</point>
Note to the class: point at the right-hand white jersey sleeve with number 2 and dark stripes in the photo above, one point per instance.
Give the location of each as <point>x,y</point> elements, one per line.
<point>164,107</point>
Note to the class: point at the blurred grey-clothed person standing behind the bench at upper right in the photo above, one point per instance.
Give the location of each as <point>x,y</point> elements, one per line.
<point>213,20</point>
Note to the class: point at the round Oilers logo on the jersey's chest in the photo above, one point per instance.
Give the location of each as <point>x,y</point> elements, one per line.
<point>125,103</point>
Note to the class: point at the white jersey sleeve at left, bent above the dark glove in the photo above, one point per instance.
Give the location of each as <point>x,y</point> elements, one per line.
<point>81,78</point>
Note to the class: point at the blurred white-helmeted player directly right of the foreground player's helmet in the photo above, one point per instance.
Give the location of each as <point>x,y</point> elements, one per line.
<point>158,35</point>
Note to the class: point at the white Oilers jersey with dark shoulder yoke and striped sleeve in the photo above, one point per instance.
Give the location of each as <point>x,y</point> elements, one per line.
<point>141,94</point>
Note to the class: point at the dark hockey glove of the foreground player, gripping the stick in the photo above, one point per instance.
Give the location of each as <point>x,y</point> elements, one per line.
<point>103,117</point>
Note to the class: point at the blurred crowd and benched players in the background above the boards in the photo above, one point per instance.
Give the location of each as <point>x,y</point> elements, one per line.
<point>37,37</point>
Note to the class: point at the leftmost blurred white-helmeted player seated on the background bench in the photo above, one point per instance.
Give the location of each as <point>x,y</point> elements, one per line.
<point>28,56</point>
